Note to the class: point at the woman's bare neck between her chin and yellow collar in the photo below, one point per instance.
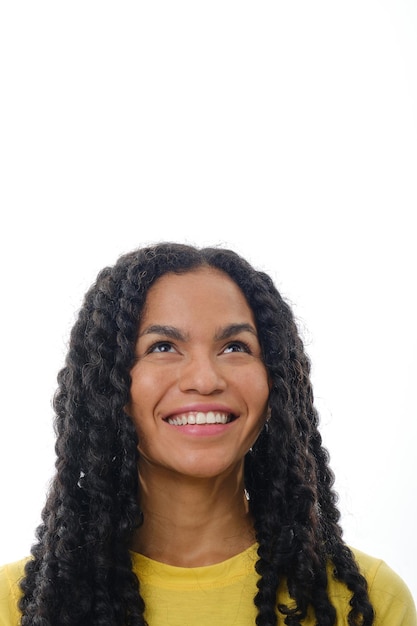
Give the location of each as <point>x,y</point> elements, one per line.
<point>192,522</point>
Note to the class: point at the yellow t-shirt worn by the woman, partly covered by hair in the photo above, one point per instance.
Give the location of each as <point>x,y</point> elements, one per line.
<point>223,593</point>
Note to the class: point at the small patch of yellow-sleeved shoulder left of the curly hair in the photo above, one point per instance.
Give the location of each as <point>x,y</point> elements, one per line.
<point>10,577</point>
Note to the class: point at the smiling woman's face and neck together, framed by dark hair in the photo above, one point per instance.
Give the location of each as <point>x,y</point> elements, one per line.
<point>198,399</point>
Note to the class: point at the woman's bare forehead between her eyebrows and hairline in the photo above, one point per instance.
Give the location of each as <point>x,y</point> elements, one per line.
<point>201,293</point>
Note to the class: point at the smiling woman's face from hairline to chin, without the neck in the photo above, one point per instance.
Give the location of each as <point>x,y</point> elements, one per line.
<point>199,388</point>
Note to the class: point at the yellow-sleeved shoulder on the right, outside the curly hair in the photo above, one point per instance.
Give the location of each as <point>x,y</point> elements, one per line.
<point>390,596</point>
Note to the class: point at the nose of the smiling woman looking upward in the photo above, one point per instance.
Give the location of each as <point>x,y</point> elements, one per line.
<point>202,374</point>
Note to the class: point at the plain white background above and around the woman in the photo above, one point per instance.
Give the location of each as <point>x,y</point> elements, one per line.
<point>285,130</point>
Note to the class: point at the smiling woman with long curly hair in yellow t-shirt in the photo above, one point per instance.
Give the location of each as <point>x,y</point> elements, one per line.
<point>191,483</point>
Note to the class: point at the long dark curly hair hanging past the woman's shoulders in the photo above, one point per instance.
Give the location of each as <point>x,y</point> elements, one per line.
<point>80,572</point>
